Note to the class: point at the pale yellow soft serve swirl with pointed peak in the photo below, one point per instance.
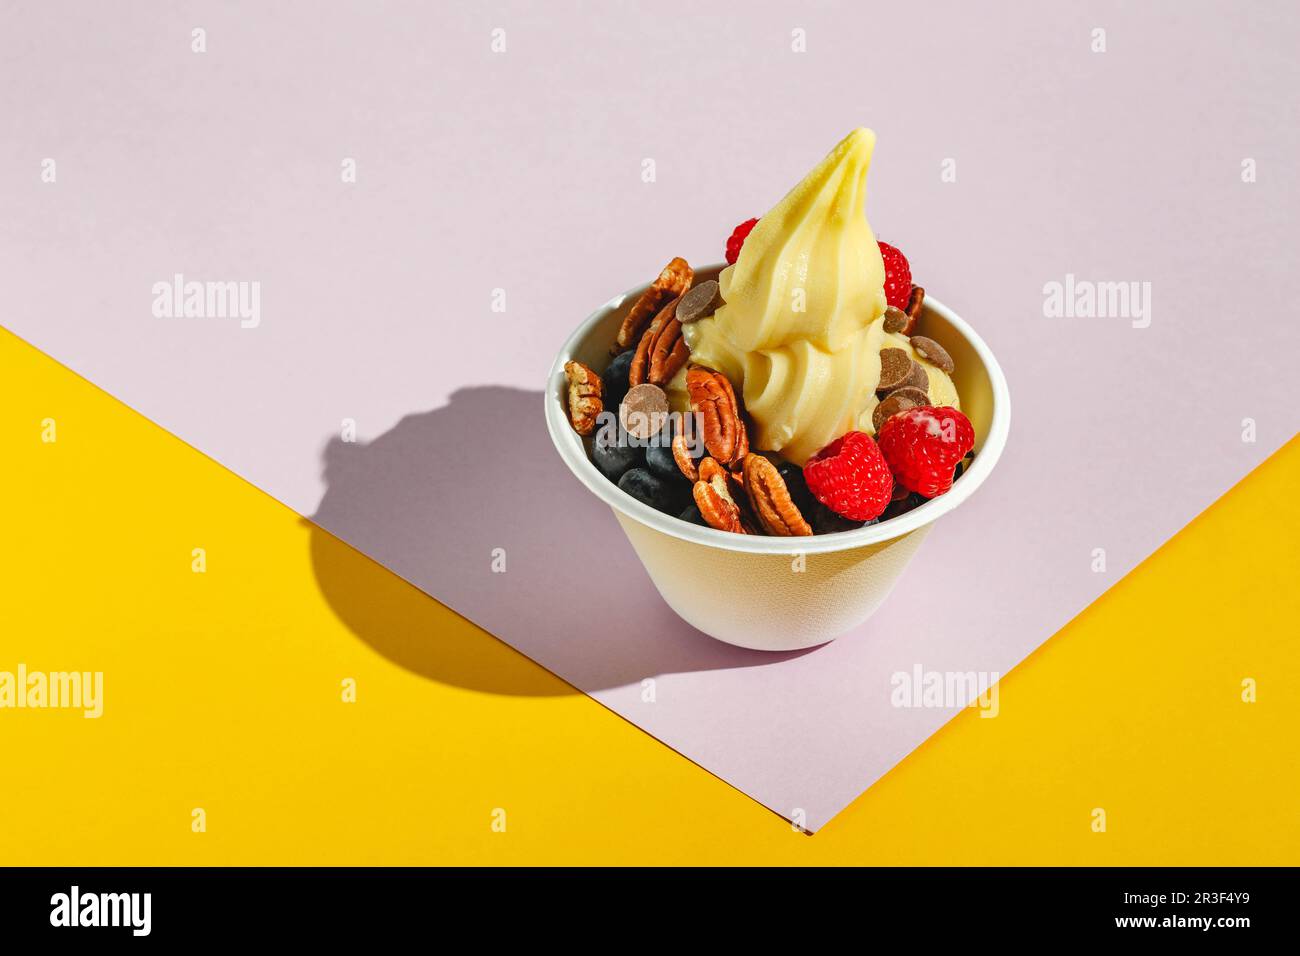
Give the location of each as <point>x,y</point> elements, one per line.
<point>801,331</point>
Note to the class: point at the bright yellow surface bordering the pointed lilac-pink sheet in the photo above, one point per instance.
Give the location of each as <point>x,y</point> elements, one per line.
<point>223,691</point>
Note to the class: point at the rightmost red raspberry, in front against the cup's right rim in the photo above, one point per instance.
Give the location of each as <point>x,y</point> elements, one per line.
<point>924,447</point>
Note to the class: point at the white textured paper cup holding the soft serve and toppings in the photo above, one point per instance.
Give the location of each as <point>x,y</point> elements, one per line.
<point>781,594</point>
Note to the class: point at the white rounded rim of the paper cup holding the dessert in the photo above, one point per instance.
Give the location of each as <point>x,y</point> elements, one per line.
<point>580,464</point>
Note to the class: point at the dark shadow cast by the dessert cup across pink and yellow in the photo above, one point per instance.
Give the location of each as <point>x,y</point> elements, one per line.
<point>434,498</point>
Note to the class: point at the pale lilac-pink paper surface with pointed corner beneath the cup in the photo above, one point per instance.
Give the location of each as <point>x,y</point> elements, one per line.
<point>522,171</point>
